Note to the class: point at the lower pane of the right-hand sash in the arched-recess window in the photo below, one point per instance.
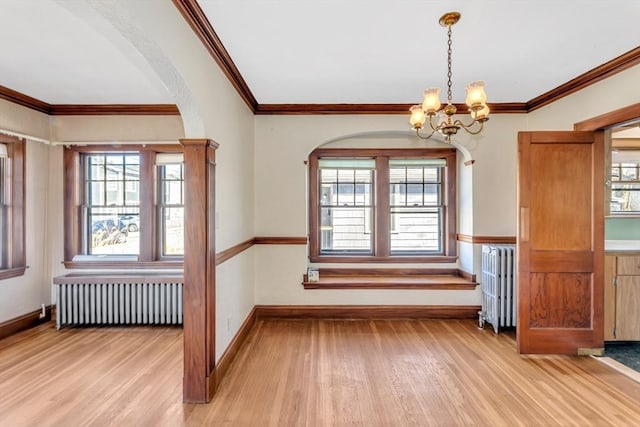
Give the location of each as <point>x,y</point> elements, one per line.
<point>416,230</point>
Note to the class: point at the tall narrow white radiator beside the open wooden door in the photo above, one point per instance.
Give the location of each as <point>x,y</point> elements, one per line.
<point>498,286</point>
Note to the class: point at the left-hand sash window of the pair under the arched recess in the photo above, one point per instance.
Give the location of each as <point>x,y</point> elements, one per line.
<point>346,205</point>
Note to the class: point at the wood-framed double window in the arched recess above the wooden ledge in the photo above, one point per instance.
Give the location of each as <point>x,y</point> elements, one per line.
<point>382,205</point>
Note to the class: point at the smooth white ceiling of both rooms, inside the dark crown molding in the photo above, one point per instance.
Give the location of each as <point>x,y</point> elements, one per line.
<point>328,51</point>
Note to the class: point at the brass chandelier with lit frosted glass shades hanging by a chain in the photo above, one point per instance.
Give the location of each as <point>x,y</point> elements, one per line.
<point>430,108</point>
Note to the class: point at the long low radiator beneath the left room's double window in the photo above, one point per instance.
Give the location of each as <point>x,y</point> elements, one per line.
<point>145,302</point>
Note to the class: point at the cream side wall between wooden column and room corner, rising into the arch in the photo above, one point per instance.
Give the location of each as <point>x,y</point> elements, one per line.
<point>227,120</point>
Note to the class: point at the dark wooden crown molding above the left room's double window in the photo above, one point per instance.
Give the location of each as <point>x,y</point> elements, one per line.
<point>113,110</point>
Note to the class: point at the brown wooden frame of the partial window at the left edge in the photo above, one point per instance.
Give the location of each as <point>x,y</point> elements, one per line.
<point>14,181</point>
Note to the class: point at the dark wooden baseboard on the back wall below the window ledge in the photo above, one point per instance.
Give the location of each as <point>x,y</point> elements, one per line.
<point>367,311</point>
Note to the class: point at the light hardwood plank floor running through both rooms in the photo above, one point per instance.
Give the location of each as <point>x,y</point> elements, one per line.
<point>309,373</point>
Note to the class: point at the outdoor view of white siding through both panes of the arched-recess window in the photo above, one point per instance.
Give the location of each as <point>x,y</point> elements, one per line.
<point>346,205</point>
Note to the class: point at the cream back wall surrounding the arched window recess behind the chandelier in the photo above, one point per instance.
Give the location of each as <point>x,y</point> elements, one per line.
<point>487,192</point>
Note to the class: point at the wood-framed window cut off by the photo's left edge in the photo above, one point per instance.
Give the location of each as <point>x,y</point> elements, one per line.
<point>12,232</point>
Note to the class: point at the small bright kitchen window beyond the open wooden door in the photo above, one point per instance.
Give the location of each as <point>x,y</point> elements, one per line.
<point>625,182</point>
